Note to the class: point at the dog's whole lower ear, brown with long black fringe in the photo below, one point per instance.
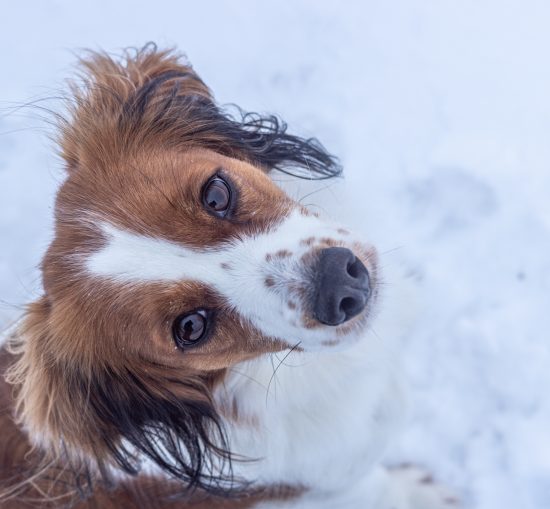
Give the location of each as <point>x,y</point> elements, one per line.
<point>102,416</point>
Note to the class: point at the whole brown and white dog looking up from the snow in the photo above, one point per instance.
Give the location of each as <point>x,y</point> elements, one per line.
<point>180,285</point>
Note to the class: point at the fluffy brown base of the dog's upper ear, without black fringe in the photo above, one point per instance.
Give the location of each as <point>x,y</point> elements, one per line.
<point>116,104</point>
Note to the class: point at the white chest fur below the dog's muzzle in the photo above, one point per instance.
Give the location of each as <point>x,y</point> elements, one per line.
<point>316,419</point>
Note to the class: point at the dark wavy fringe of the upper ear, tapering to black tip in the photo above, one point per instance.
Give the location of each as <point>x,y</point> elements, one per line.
<point>163,106</point>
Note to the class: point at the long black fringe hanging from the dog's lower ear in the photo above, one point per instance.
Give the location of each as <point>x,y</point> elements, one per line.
<point>183,436</point>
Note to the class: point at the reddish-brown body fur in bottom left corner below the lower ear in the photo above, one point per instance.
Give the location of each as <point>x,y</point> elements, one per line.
<point>18,461</point>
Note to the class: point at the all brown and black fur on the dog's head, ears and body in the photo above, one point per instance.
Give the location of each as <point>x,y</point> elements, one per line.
<point>94,363</point>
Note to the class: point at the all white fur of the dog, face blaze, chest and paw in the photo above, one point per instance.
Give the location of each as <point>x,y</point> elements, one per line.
<point>319,420</point>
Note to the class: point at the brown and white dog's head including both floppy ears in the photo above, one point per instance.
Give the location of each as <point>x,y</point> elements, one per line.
<point>175,257</point>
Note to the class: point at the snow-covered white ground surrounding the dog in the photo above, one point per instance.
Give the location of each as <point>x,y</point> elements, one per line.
<point>440,112</point>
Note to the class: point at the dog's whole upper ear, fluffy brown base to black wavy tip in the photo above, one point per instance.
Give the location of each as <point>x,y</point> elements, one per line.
<point>151,99</point>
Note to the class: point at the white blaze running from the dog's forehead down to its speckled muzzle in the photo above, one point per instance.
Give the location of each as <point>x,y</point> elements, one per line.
<point>237,270</point>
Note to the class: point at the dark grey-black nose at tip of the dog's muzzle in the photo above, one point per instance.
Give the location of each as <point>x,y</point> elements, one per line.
<point>343,286</point>
